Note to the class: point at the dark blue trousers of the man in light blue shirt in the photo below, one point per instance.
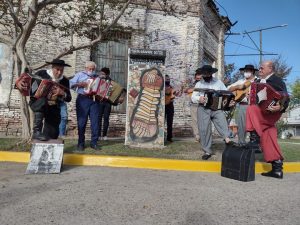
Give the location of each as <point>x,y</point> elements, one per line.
<point>87,107</point>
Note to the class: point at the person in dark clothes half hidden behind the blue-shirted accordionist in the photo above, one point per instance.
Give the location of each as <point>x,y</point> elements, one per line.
<point>105,107</point>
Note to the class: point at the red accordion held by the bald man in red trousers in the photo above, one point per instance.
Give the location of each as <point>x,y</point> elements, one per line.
<point>264,95</point>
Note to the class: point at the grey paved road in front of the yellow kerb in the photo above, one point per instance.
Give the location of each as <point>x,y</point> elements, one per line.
<point>116,196</point>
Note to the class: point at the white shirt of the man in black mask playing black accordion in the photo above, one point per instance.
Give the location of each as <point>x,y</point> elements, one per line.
<point>213,84</point>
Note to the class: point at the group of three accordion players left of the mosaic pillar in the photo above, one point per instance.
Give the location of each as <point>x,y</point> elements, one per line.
<point>49,88</point>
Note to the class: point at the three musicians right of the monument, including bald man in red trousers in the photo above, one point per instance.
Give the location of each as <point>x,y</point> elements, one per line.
<point>260,100</point>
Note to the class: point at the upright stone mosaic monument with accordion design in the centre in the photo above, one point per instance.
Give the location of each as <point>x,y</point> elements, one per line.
<point>145,100</point>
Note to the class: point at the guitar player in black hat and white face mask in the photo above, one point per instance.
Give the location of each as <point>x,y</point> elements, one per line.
<point>240,85</point>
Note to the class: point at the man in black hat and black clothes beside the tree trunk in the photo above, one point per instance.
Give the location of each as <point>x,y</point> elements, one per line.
<point>47,112</point>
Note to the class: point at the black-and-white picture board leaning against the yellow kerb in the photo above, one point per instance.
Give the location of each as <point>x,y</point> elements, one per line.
<point>45,158</point>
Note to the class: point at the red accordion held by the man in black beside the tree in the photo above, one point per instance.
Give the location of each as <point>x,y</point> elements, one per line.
<point>37,87</point>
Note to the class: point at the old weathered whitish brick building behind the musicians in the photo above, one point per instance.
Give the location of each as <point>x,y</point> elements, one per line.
<point>192,36</point>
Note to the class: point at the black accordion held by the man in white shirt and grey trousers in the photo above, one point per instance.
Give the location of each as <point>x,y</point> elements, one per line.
<point>218,100</point>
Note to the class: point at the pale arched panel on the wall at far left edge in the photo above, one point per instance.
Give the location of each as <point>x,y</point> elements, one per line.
<point>5,74</point>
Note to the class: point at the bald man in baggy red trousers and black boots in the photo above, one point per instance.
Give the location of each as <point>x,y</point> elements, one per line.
<point>260,122</point>
